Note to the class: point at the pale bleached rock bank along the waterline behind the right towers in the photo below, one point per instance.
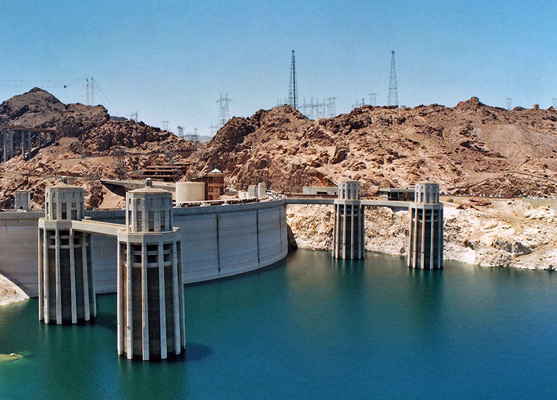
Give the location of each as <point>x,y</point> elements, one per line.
<point>500,233</point>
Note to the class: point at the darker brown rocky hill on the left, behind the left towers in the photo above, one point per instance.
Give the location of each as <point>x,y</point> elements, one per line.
<point>89,145</point>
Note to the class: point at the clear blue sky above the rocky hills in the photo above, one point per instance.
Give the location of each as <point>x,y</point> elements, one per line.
<point>170,60</point>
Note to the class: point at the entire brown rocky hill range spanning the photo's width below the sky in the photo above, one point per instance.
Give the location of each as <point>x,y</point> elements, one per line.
<point>471,148</point>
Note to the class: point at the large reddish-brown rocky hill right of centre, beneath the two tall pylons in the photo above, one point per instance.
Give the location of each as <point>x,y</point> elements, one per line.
<point>470,149</point>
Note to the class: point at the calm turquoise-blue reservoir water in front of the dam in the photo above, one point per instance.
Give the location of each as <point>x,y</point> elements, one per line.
<point>313,328</point>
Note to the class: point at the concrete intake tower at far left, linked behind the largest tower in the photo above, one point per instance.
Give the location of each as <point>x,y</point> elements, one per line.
<point>66,284</point>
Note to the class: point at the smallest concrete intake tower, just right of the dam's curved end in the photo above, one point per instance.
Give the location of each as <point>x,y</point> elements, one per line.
<point>348,233</point>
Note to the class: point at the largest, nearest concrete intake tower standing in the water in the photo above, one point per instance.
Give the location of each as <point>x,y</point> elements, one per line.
<point>151,319</point>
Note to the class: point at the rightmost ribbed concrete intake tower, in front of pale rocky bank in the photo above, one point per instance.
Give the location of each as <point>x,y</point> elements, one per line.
<point>425,249</point>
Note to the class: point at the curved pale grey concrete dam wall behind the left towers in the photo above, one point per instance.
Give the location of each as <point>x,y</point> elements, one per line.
<point>217,242</point>
